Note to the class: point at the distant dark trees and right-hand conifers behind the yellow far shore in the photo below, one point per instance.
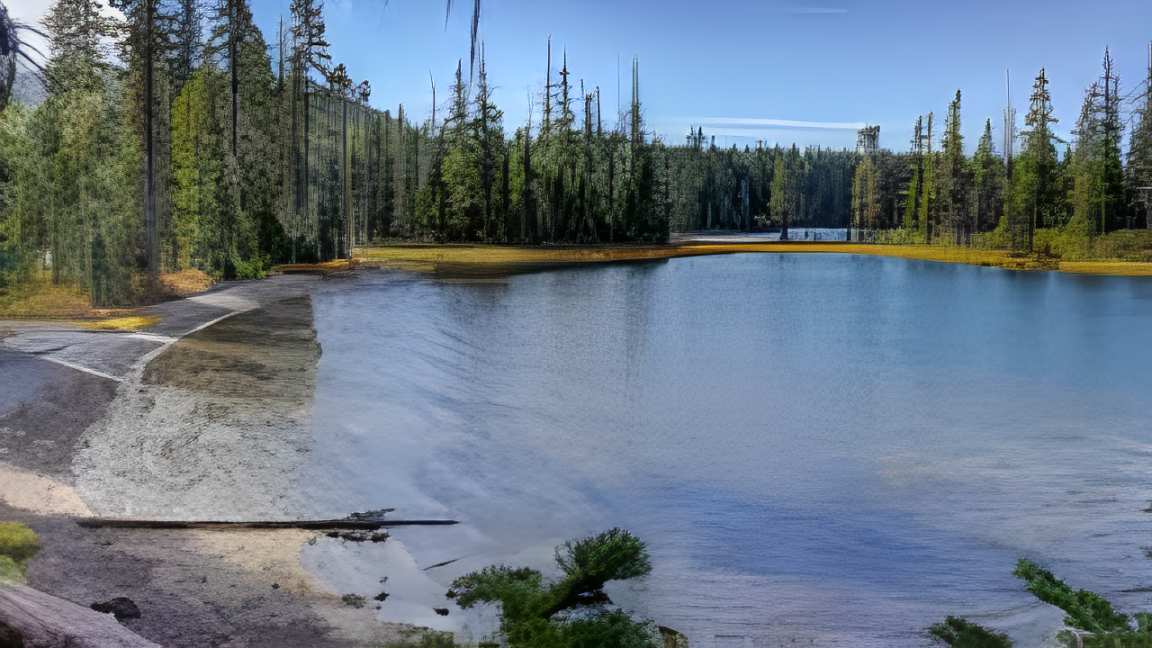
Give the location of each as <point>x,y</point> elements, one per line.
<point>936,193</point>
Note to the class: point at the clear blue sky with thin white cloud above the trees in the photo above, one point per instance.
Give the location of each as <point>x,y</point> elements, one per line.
<point>779,71</point>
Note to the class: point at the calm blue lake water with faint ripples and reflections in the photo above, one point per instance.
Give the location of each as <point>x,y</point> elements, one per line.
<point>818,449</point>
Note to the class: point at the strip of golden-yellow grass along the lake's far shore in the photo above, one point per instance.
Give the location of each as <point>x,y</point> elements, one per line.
<point>483,260</point>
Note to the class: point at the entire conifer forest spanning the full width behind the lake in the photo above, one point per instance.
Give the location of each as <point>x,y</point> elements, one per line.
<point>183,138</point>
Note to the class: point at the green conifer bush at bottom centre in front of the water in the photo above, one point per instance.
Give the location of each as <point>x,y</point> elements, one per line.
<point>574,612</point>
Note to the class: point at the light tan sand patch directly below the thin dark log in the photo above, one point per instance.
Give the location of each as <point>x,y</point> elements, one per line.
<point>272,555</point>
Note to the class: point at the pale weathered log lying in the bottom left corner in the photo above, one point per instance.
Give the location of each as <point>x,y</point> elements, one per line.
<point>34,620</point>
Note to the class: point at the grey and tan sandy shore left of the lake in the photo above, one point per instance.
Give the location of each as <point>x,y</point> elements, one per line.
<point>204,416</point>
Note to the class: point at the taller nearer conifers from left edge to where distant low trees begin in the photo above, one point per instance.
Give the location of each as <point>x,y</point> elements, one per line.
<point>173,140</point>
